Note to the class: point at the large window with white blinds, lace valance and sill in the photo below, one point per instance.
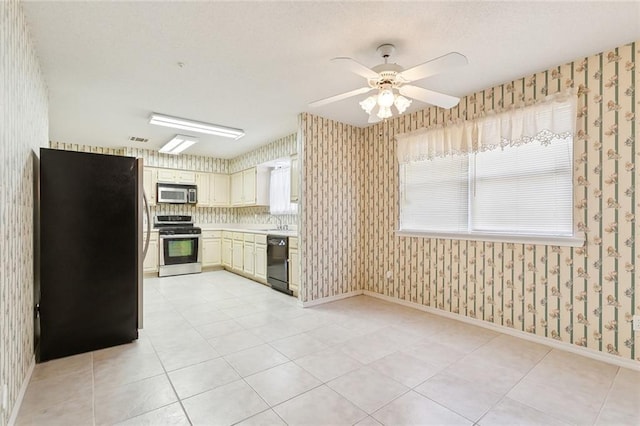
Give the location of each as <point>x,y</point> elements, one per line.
<point>506,176</point>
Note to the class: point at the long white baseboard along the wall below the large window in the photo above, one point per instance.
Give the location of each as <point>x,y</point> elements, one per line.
<point>556,344</point>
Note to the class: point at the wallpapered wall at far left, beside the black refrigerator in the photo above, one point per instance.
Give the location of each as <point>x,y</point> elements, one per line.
<point>24,118</point>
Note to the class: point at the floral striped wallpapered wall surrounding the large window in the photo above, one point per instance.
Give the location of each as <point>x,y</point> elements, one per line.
<point>585,296</point>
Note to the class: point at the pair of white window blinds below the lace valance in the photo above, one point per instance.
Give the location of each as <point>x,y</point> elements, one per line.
<point>523,190</point>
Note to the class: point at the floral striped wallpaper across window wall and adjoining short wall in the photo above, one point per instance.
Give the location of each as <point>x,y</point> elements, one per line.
<point>584,296</point>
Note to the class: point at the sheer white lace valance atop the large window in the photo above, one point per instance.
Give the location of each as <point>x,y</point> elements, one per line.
<point>544,121</point>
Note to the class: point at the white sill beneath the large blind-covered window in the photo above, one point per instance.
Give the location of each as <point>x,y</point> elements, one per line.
<point>576,240</point>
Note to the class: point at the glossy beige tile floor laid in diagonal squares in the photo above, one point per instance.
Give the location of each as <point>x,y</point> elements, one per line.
<point>218,349</point>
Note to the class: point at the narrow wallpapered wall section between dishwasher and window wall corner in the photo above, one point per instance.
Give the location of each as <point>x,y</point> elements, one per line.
<point>331,212</point>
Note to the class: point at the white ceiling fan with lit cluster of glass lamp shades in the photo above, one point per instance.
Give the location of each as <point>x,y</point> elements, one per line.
<point>391,82</point>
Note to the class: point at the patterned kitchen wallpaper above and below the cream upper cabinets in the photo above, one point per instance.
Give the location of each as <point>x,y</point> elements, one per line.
<point>279,148</point>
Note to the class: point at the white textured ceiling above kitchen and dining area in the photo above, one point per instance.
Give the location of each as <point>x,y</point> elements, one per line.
<point>256,65</point>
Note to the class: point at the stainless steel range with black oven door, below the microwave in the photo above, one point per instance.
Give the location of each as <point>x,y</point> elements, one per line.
<point>180,245</point>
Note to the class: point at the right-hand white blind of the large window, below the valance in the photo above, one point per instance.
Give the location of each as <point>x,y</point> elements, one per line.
<point>524,189</point>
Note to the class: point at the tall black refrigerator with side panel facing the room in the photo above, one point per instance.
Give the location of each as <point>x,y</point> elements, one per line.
<point>90,222</point>
